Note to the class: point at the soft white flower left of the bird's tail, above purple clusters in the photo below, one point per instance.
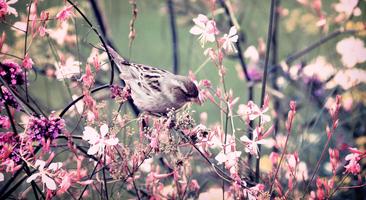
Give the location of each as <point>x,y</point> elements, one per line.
<point>69,69</point>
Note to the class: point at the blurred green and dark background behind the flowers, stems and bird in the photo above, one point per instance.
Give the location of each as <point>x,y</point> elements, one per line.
<point>297,29</point>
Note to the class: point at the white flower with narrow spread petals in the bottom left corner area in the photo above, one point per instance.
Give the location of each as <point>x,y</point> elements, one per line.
<point>44,173</point>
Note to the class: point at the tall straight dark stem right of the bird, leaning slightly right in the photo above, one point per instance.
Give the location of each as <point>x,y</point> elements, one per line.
<point>265,73</point>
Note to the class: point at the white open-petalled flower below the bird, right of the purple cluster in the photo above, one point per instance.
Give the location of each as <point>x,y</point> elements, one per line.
<point>98,141</point>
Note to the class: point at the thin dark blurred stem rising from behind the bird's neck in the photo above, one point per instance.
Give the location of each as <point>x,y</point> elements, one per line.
<point>173,28</point>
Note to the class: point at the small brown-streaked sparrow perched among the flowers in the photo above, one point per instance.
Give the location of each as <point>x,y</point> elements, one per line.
<point>154,90</point>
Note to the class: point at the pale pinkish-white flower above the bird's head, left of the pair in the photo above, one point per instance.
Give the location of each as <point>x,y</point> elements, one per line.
<point>205,28</point>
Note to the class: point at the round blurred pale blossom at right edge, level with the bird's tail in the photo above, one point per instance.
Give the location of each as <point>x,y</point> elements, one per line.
<point>352,50</point>
